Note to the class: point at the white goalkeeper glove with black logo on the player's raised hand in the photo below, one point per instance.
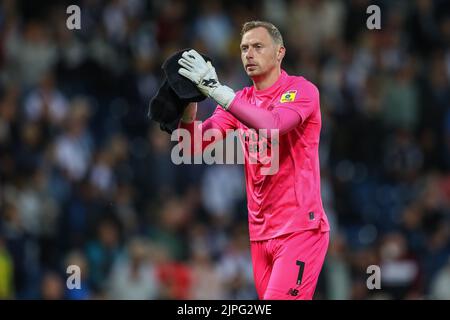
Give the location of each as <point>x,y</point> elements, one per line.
<point>204,76</point>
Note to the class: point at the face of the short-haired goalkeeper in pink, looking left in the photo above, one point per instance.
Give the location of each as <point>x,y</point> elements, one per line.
<point>259,53</point>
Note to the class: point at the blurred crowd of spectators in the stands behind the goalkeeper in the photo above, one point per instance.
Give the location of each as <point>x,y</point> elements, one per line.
<point>86,178</point>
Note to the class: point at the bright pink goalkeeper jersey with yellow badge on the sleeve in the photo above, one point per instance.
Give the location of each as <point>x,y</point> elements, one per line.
<point>289,200</point>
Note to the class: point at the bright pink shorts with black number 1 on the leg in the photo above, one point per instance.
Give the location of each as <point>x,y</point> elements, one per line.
<point>288,267</point>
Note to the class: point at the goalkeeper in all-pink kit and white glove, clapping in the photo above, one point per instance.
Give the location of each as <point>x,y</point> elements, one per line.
<point>289,230</point>
